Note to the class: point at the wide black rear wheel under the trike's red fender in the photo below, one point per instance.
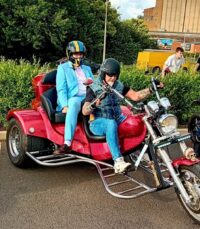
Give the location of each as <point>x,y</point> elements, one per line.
<point>18,143</point>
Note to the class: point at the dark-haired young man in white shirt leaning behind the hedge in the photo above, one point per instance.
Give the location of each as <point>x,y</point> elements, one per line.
<point>174,62</point>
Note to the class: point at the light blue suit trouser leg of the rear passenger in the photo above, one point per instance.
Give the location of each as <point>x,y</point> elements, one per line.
<point>74,107</point>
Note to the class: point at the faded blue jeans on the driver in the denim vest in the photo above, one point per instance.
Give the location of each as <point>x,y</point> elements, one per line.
<point>109,128</point>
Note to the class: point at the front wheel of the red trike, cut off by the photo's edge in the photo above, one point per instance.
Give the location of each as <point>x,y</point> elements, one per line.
<point>190,177</point>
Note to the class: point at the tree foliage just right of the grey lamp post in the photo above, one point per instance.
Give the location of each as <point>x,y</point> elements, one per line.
<point>131,37</point>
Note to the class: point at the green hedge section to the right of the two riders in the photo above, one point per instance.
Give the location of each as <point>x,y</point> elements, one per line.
<point>181,89</point>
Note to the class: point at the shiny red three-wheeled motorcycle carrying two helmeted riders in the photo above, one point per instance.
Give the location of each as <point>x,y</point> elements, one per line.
<point>144,137</point>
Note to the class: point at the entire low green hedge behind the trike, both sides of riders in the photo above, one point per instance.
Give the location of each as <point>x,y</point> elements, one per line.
<point>16,89</point>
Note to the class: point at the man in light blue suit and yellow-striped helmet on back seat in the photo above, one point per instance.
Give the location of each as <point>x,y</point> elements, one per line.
<point>71,90</point>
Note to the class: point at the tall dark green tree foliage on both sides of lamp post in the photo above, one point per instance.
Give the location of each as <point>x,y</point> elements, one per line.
<point>42,28</point>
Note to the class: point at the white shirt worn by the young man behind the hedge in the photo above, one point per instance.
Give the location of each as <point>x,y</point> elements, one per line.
<point>173,63</point>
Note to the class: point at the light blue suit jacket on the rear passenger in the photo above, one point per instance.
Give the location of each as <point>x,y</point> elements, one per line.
<point>67,83</point>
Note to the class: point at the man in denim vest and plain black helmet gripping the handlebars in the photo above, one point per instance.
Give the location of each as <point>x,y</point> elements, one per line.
<point>107,114</point>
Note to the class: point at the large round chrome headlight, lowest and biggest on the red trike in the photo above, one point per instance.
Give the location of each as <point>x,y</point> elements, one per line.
<point>168,123</point>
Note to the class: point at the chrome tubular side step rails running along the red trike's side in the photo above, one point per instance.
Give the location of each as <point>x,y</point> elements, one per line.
<point>102,168</point>
